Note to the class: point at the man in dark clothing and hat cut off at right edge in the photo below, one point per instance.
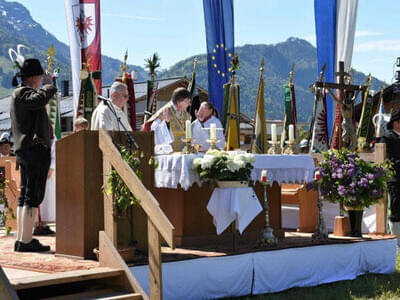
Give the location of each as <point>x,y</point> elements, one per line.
<point>392,140</point>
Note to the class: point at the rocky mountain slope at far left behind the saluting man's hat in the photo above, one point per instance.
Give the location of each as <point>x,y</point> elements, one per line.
<point>18,27</point>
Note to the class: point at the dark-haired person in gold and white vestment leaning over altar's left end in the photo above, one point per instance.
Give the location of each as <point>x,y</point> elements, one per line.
<point>168,123</point>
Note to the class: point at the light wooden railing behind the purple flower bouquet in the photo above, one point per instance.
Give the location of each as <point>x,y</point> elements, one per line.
<point>381,208</point>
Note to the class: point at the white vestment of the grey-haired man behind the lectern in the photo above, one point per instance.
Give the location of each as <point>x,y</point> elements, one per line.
<point>104,118</point>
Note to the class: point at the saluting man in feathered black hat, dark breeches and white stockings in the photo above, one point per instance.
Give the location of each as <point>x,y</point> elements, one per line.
<point>31,131</point>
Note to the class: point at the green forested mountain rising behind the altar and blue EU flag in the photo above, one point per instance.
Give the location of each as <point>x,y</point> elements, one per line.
<point>279,59</point>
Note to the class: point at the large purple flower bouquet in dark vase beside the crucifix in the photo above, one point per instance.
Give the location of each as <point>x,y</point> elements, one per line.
<point>347,179</point>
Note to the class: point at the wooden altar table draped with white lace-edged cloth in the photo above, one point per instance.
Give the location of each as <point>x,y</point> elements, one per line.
<point>184,198</point>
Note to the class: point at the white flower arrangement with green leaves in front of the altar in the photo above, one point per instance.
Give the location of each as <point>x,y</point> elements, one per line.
<point>225,168</point>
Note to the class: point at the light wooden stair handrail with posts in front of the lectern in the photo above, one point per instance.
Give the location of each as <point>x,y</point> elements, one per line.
<point>157,222</point>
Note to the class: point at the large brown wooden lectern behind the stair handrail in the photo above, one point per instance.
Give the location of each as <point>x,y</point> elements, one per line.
<point>79,181</point>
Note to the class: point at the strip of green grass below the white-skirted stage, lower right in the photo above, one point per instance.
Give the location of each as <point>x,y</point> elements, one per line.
<point>371,286</point>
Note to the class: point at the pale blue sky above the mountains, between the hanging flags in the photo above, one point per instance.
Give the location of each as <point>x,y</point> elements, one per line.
<point>175,28</point>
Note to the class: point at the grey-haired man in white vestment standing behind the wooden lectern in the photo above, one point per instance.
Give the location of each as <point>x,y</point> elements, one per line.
<point>106,115</point>
